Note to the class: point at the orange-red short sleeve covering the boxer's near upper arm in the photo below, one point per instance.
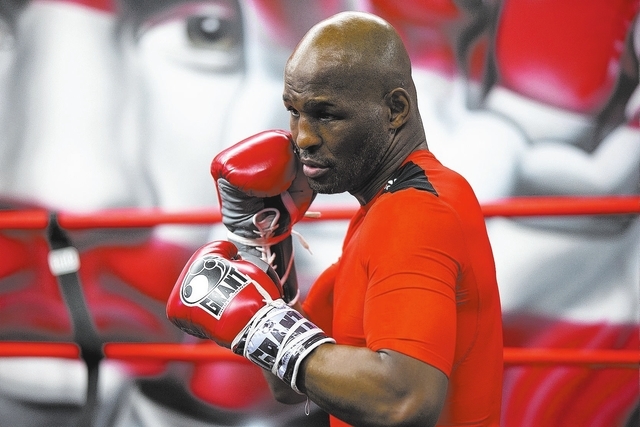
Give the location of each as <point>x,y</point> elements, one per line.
<point>413,268</point>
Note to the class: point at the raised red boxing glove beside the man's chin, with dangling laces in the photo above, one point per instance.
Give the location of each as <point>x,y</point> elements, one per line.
<point>263,193</point>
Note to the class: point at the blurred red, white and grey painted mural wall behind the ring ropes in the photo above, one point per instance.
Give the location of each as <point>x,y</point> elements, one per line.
<point>108,104</point>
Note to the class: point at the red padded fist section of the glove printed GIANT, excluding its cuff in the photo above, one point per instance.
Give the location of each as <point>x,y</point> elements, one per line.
<point>218,293</point>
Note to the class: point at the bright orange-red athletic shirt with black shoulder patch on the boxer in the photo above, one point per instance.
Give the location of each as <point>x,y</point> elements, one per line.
<point>417,276</point>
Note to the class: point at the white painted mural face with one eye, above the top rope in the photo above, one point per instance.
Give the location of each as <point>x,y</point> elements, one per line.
<point>129,114</point>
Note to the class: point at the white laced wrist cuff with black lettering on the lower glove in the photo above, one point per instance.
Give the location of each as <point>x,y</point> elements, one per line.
<point>278,338</point>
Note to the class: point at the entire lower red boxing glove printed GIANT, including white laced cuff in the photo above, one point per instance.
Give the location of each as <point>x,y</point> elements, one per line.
<point>222,295</point>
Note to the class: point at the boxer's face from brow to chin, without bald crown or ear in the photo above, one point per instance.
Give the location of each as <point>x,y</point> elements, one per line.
<point>339,125</point>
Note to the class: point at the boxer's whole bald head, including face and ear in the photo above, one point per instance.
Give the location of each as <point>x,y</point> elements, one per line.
<point>352,103</point>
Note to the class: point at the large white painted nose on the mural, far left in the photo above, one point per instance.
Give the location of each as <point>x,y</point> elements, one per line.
<point>63,141</point>
